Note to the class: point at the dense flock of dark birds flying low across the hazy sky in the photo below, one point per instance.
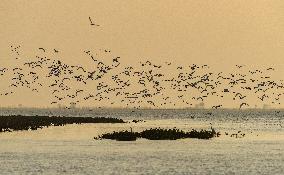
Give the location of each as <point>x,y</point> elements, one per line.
<point>145,85</point>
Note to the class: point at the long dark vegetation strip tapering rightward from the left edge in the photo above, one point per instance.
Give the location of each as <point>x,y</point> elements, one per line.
<point>17,123</point>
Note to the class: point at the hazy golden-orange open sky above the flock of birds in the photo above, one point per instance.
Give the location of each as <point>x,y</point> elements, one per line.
<point>220,33</point>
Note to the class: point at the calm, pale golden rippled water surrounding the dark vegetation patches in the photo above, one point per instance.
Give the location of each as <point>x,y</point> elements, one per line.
<point>72,150</point>
